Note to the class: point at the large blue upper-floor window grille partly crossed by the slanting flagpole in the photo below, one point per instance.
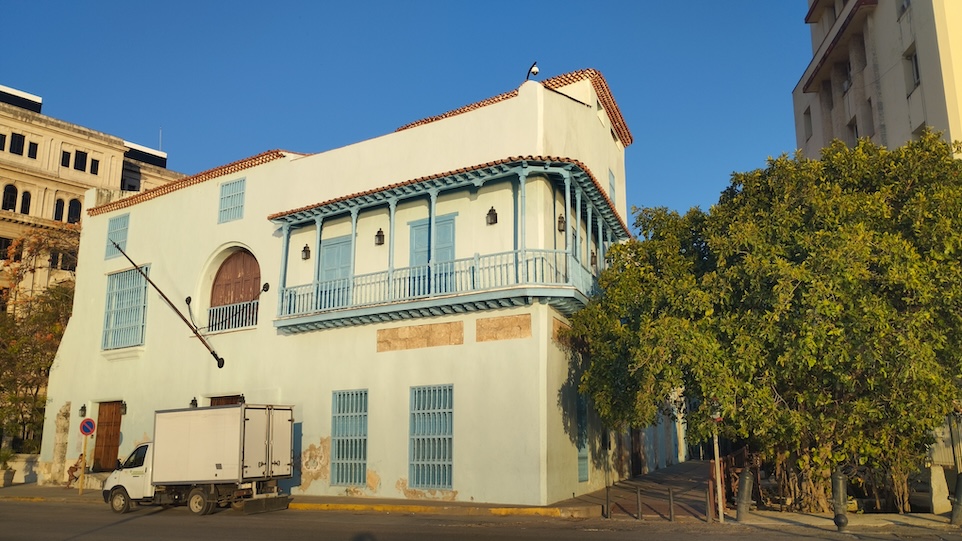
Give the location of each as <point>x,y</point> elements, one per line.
<point>124,315</point>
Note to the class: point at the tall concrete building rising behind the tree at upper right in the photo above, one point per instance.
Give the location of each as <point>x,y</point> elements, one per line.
<point>883,69</point>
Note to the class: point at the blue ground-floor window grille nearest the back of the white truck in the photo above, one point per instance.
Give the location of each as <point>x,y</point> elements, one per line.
<point>349,438</point>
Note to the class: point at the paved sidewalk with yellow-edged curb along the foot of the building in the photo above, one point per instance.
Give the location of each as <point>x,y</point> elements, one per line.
<point>687,482</point>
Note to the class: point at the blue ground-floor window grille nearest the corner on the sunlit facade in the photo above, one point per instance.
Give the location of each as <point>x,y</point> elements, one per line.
<point>432,437</point>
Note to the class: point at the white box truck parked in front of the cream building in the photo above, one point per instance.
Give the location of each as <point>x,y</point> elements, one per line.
<point>208,458</point>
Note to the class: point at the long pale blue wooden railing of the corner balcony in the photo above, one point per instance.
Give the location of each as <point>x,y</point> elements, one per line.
<point>479,273</point>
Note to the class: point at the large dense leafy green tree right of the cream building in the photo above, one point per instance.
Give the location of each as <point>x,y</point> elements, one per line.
<point>816,307</point>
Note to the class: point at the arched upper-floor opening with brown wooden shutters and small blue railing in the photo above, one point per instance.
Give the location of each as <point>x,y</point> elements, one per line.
<point>235,293</point>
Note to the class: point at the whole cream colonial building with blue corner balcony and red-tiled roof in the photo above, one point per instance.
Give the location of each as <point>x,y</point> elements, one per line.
<point>403,294</point>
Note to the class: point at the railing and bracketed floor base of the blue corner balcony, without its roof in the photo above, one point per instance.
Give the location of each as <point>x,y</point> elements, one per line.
<point>482,282</point>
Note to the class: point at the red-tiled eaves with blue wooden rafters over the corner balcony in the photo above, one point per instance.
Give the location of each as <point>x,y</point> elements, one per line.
<point>552,167</point>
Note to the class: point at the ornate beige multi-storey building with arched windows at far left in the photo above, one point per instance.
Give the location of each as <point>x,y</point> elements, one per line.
<point>47,164</point>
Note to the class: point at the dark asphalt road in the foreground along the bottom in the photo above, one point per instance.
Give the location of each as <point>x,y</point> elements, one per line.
<point>46,521</point>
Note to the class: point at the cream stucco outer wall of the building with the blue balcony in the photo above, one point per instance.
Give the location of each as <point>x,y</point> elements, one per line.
<point>511,440</point>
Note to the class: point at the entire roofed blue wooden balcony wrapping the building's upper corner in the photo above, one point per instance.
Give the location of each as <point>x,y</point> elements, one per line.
<point>499,235</point>
